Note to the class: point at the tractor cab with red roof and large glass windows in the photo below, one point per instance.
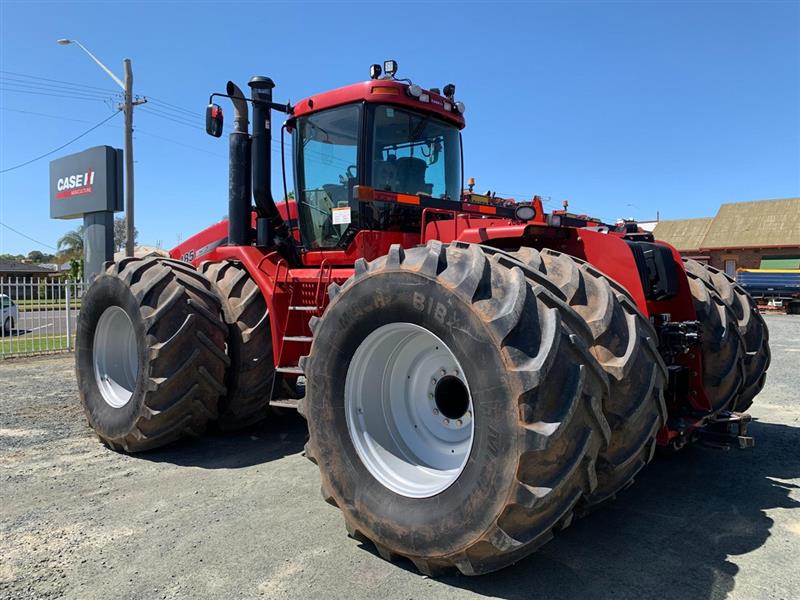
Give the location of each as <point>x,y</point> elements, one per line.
<point>383,135</point>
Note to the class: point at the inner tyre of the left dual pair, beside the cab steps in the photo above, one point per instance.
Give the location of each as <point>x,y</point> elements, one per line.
<point>252,370</point>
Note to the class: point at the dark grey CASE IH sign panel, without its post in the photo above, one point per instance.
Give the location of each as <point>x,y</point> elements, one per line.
<point>87,182</point>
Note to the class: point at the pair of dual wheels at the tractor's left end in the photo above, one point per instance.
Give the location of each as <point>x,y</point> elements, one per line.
<point>163,350</point>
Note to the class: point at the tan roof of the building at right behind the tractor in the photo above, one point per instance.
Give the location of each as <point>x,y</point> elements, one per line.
<point>757,224</point>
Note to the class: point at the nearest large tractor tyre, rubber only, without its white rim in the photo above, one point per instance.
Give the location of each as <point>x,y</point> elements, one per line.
<point>537,394</point>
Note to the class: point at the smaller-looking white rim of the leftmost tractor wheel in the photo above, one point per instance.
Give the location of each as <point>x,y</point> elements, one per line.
<point>116,357</point>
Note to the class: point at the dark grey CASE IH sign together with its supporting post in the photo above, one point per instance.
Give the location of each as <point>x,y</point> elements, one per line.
<point>89,185</point>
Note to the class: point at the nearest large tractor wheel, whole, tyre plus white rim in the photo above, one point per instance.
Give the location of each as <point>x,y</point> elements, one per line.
<point>454,409</point>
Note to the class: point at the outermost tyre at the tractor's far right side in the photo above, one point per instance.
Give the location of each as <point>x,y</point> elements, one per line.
<point>750,324</point>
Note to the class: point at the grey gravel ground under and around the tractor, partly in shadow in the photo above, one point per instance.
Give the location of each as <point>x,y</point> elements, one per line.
<point>240,516</point>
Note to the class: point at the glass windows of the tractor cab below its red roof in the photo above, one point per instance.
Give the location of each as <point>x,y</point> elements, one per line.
<point>408,153</point>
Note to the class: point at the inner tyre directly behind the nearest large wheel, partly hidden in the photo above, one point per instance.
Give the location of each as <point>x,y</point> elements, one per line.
<point>624,343</point>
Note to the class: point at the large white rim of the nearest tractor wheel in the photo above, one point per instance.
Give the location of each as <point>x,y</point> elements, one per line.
<point>409,411</point>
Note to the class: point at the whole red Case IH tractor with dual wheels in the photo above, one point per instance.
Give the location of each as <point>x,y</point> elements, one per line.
<point>473,373</point>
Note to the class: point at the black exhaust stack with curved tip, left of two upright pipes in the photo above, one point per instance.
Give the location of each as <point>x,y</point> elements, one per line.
<point>239,173</point>
